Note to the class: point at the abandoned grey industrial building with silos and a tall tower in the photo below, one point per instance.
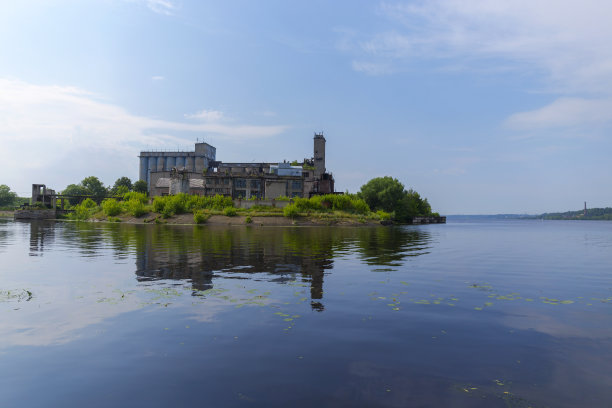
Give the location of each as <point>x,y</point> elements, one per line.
<point>199,172</point>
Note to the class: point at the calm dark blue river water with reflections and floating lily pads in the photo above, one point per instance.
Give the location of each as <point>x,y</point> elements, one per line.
<point>492,314</point>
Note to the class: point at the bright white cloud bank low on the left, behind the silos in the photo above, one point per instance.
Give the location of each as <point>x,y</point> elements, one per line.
<point>51,133</point>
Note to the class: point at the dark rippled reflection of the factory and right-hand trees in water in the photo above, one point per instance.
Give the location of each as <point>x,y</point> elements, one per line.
<point>283,255</point>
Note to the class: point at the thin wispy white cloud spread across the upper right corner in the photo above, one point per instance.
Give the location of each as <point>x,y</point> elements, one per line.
<point>567,40</point>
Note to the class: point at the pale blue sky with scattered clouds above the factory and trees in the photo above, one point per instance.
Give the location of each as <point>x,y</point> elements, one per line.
<point>483,107</point>
